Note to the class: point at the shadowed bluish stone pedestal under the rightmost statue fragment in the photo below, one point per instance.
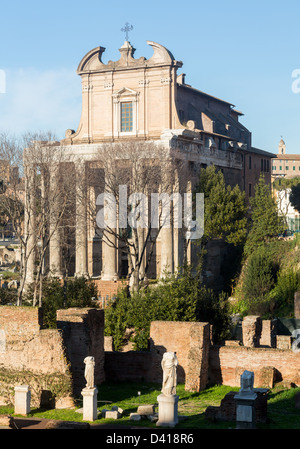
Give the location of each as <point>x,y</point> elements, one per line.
<point>245,411</point>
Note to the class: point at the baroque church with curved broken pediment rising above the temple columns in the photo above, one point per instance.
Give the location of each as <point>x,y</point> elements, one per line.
<point>147,100</point>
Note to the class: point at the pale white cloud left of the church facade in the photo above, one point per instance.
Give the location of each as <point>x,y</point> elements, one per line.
<point>40,101</point>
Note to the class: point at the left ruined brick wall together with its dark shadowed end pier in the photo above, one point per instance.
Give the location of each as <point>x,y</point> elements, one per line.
<point>41,357</point>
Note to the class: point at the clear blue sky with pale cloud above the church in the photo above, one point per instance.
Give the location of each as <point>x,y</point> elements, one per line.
<point>241,51</point>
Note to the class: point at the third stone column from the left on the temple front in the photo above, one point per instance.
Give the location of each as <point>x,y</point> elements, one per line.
<point>81,221</point>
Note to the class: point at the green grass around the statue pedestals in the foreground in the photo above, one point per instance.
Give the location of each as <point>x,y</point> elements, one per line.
<point>282,413</point>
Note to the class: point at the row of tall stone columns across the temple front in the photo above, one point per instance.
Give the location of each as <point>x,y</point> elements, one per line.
<point>171,246</point>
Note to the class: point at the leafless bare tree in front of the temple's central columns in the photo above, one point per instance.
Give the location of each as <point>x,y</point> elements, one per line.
<point>134,173</point>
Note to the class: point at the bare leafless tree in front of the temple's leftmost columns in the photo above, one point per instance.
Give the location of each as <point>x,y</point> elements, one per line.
<point>49,179</point>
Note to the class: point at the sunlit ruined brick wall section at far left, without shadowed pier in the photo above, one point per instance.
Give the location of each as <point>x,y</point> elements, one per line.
<point>31,355</point>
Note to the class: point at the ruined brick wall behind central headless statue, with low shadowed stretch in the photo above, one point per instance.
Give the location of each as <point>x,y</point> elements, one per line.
<point>190,341</point>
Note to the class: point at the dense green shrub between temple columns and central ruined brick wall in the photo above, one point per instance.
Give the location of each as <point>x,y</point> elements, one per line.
<point>176,298</point>
